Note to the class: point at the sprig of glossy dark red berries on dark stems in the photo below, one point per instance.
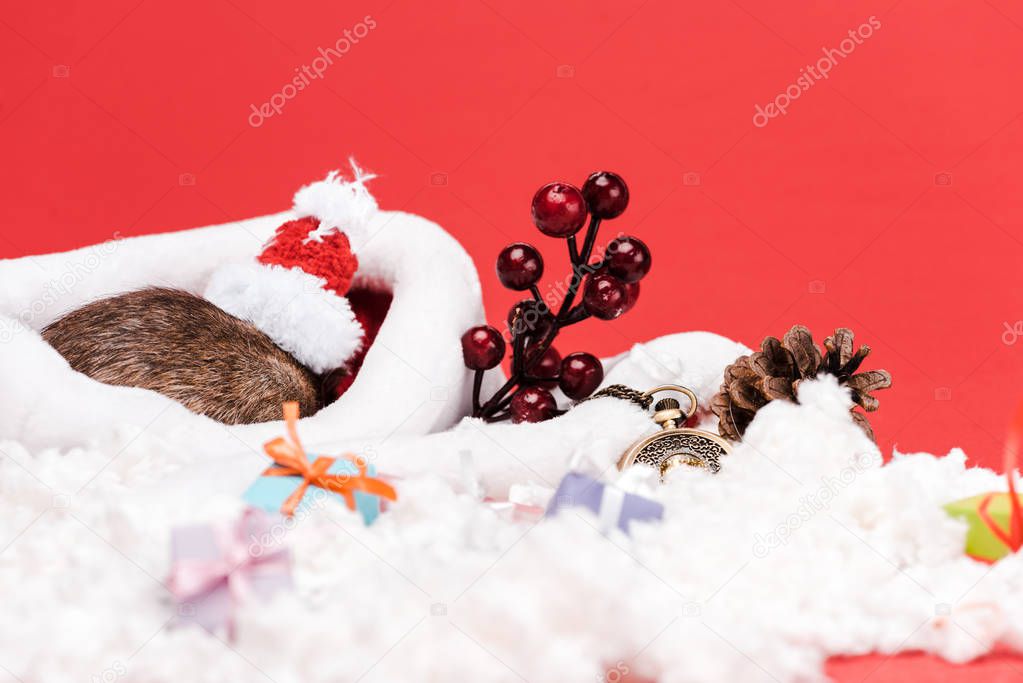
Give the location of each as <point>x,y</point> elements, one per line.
<point>610,288</point>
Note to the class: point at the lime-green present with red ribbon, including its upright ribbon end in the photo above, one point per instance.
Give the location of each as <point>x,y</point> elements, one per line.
<point>995,520</point>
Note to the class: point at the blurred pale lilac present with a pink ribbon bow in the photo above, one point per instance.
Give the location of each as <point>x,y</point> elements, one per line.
<point>215,569</point>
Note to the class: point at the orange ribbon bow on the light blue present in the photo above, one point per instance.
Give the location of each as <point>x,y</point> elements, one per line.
<point>291,461</point>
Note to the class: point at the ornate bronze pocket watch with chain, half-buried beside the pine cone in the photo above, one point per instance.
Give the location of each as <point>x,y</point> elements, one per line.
<point>675,445</point>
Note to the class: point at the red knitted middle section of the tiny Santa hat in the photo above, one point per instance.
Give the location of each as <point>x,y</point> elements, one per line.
<point>330,257</point>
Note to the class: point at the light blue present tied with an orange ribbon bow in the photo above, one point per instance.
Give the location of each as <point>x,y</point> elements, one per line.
<point>286,485</point>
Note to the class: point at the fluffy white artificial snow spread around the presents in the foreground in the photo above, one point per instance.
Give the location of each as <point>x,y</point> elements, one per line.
<point>803,548</point>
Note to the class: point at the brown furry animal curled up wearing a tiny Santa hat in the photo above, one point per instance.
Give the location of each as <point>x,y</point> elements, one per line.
<point>185,347</point>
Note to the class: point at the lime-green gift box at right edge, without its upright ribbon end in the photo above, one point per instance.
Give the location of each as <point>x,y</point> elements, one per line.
<point>990,516</point>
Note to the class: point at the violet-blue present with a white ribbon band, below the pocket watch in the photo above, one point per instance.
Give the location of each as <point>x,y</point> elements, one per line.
<point>613,507</point>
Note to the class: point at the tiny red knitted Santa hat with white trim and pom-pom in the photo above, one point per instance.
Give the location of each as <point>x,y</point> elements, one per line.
<point>296,291</point>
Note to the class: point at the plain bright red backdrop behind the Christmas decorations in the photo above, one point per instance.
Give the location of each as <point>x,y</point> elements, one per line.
<point>465,108</point>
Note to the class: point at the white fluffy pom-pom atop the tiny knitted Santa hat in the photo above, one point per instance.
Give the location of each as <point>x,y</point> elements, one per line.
<point>340,205</point>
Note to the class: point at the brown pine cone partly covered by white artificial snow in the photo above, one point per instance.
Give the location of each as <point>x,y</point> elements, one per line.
<point>776,371</point>
